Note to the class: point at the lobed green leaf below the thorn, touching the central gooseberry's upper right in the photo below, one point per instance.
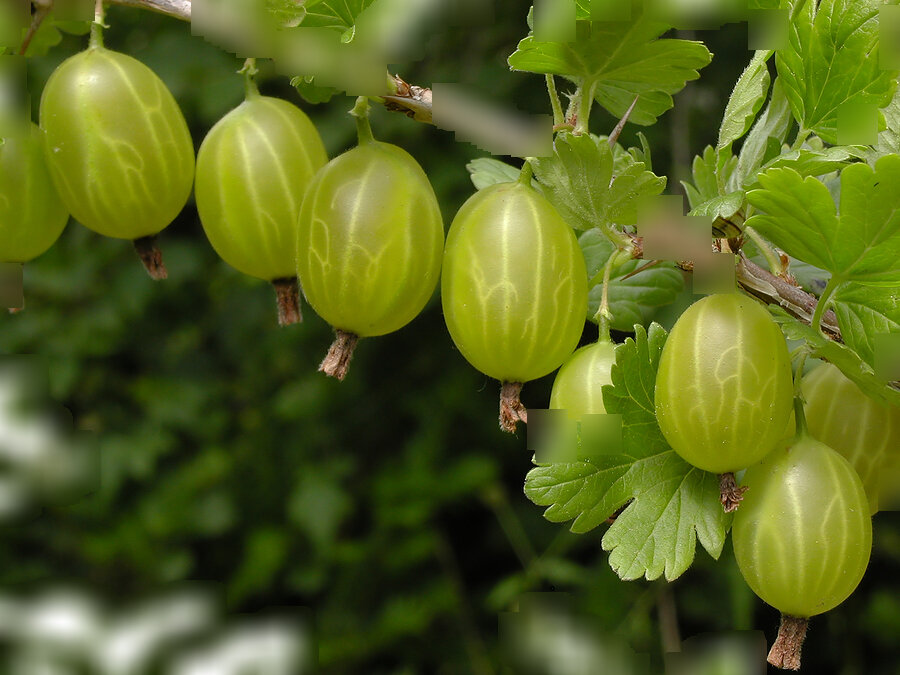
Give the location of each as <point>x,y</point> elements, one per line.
<point>576,179</point>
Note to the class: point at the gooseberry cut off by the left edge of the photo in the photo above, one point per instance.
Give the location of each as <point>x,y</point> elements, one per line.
<point>32,216</point>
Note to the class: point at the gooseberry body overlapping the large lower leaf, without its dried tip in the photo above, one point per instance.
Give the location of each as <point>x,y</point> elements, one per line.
<point>724,387</point>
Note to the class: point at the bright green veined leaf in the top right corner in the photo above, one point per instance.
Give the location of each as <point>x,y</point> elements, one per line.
<point>832,60</point>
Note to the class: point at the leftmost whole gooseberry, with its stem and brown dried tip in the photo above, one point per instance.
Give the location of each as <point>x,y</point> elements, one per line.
<point>117,146</point>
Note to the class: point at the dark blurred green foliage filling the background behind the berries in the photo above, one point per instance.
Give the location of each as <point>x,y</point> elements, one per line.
<point>389,506</point>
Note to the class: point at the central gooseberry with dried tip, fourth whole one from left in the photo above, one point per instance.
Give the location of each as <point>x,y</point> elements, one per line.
<point>513,288</point>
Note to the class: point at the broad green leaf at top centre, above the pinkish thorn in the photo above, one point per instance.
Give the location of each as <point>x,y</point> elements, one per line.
<point>618,61</point>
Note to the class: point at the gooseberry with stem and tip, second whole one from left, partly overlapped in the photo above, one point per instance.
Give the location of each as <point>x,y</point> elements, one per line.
<point>253,169</point>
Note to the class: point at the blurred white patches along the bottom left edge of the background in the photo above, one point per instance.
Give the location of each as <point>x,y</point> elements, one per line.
<point>64,631</point>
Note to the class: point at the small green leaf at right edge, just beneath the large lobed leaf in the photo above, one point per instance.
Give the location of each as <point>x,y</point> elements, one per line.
<point>864,312</point>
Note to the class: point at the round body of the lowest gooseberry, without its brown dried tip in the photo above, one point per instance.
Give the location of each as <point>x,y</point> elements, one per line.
<point>803,535</point>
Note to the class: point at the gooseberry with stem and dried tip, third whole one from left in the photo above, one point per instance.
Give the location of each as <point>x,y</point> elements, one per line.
<point>370,239</point>
